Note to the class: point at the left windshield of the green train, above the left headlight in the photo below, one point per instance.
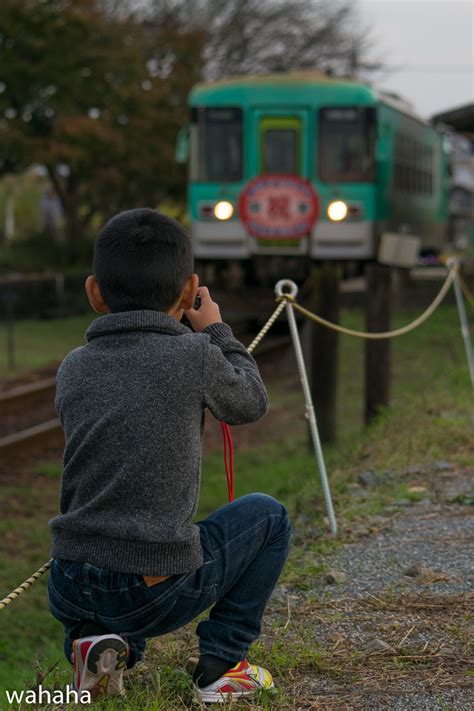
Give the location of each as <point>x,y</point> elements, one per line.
<point>217,155</point>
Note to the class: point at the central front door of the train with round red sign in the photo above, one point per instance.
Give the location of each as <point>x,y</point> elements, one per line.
<point>277,213</point>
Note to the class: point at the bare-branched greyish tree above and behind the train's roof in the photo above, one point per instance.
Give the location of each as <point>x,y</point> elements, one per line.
<point>248,37</point>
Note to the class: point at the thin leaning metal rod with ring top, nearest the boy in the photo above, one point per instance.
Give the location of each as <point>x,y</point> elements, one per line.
<point>292,290</point>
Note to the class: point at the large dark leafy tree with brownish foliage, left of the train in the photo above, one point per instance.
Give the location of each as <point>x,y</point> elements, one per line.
<point>84,94</point>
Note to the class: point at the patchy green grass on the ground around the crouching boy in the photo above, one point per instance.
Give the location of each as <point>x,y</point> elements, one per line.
<point>431,418</point>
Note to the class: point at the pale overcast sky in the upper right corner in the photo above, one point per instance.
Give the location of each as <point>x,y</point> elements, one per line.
<point>430,44</point>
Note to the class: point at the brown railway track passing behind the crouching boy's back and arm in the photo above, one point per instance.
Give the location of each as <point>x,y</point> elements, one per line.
<point>29,421</point>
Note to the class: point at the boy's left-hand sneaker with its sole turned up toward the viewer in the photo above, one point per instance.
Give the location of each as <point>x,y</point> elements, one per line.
<point>99,662</point>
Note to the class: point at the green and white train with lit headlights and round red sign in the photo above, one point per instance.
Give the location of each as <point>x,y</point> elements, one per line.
<point>372,165</point>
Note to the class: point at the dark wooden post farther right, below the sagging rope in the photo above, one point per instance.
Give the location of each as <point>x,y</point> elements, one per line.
<point>377,353</point>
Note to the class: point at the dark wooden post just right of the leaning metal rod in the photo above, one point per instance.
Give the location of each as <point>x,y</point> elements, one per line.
<point>323,348</point>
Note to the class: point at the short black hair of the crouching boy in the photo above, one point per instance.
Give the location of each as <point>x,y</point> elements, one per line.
<point>142,259</point>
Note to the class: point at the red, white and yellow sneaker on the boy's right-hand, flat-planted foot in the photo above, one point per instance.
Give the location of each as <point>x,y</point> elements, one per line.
<point>242,680</point>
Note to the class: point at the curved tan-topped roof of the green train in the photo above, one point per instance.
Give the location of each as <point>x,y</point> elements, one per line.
<point>259,88</point>
